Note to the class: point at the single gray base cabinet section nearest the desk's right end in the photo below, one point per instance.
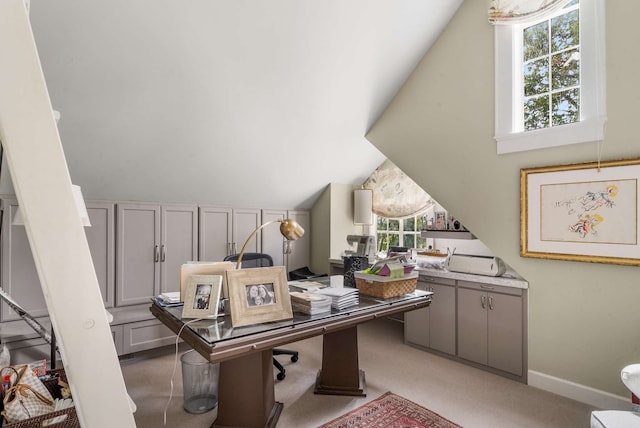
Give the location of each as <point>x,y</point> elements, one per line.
<point>434,327</point>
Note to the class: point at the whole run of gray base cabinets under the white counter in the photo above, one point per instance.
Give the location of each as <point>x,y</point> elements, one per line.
<point>476,322</point>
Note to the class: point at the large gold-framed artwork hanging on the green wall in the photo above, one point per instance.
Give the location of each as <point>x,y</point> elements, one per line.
<point>582,212</point>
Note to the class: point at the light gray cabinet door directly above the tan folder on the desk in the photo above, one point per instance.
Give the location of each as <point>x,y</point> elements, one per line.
<point>215,233</point>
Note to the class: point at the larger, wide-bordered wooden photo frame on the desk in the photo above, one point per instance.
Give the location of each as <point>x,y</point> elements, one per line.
<point>258,295</point>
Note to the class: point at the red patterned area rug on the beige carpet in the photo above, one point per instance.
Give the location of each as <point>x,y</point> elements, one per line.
<point>390,411</point>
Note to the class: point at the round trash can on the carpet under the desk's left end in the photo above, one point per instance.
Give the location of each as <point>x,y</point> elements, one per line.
<point>199,383</point>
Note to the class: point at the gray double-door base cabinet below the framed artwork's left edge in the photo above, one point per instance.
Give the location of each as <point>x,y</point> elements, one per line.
<point>490,329</point>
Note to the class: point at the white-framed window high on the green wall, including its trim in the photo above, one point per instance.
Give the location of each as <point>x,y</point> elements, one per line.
<point>550,79</point>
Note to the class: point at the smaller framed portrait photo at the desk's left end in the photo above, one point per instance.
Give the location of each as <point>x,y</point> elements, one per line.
<point>202,296</point>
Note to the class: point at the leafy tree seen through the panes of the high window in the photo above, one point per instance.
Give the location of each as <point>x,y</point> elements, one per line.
<point>551,70</point>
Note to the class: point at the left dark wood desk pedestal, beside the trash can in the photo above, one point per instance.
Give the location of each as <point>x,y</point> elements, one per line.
<point>246,397</point>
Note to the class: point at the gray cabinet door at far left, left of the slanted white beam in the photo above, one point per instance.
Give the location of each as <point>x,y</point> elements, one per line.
<point>19,275</point>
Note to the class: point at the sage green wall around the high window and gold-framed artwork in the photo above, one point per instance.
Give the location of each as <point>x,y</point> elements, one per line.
<point>584,318</point>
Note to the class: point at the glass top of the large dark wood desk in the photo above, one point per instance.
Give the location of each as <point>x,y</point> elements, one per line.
<point>220,329</point>
